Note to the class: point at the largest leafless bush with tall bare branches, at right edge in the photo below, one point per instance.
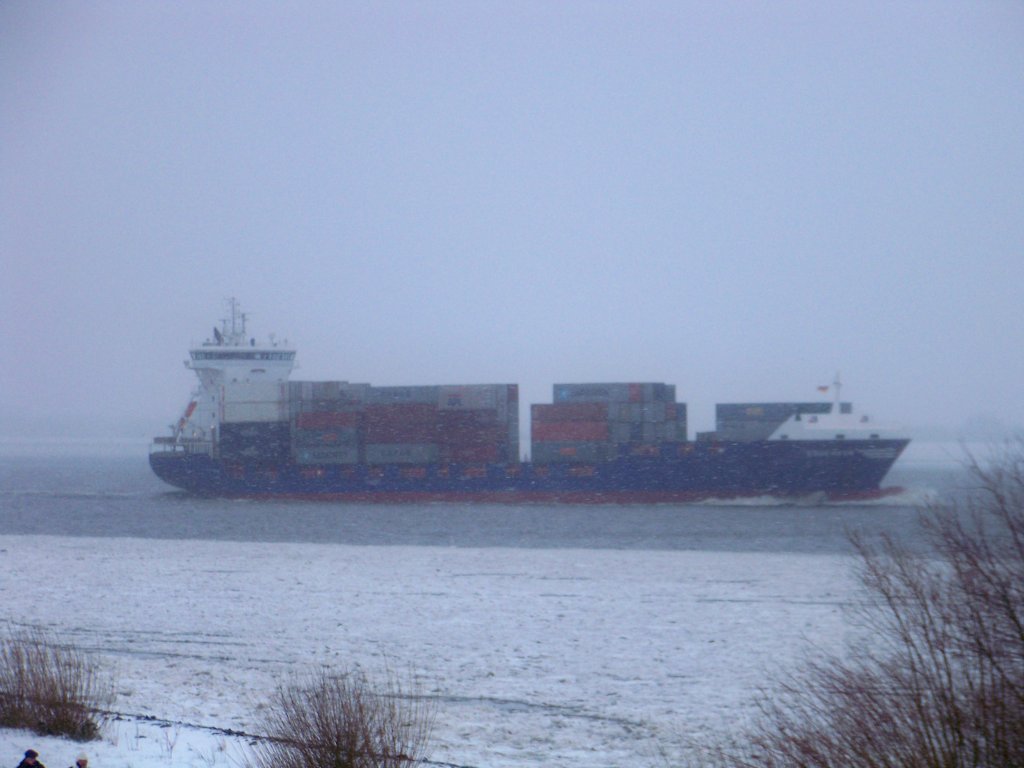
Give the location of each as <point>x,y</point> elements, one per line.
<point>942,682</point>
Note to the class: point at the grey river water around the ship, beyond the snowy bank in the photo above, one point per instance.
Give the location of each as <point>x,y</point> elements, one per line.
<point>88,492</point>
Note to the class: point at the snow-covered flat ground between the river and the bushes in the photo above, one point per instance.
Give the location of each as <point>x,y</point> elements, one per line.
<point>534,657</point>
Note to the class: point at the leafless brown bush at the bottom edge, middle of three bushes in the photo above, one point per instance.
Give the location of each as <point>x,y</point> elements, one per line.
<point>340,721</point>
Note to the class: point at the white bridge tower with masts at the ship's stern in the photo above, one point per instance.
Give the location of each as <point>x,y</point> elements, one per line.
<point>235,362</point>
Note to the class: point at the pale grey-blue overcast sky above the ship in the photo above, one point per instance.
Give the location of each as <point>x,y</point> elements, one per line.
<point>740,199</point>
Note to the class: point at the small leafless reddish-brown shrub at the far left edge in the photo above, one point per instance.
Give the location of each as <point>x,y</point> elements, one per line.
<point>51,689</point>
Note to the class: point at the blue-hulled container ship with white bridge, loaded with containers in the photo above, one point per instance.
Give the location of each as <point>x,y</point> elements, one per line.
<point>248,432</point>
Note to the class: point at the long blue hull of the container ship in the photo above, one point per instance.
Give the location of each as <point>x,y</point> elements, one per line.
<point>850,470</point>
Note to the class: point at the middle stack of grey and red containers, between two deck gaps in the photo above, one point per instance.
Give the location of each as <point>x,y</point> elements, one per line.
<point>601,422</point>
